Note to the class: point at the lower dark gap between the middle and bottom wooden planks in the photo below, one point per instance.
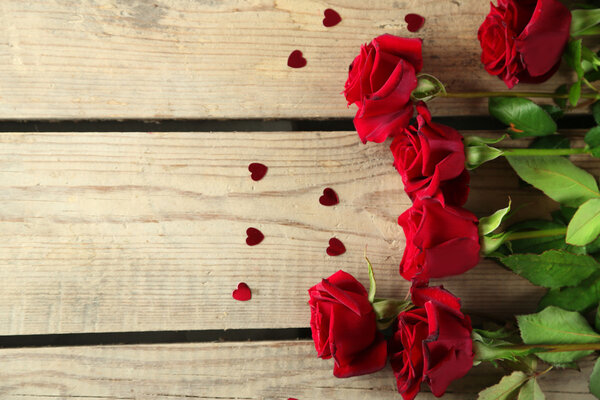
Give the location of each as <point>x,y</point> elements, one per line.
<point>156,337</point>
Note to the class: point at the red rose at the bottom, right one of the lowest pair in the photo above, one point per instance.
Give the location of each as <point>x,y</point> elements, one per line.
<point>432,343</point>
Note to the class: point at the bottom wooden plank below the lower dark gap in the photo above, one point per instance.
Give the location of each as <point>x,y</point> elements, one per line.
<point>267,370</point>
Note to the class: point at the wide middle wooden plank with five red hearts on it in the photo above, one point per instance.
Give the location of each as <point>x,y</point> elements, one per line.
<point>107,232</point>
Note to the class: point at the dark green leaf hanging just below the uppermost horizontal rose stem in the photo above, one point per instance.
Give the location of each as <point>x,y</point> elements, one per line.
<point>523,116</point>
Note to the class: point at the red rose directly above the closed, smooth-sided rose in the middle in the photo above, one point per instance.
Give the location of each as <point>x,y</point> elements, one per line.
<point>431,161</point>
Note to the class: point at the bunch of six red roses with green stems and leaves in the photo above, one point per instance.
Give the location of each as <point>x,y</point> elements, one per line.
<point>428,338</point>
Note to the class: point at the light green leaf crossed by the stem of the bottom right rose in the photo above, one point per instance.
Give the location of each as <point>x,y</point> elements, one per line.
<point>554,325</point>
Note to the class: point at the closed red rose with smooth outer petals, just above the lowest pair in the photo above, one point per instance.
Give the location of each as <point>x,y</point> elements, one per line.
<point>440,240</point>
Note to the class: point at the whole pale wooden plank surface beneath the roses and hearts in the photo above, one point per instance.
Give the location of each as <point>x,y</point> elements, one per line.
<point>138,234</point>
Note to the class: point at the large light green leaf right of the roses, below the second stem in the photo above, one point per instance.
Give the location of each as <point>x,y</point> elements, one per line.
<point>558,177</point>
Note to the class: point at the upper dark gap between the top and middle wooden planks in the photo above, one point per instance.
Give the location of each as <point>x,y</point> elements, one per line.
<point>250,125</point>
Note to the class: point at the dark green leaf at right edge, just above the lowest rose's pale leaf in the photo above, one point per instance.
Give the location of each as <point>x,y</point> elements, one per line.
<point>579,298</point>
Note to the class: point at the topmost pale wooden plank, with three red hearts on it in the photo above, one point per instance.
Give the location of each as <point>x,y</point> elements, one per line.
<point>218,59</point>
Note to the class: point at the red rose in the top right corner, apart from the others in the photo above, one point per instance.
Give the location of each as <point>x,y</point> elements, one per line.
<point>523,40</point>
